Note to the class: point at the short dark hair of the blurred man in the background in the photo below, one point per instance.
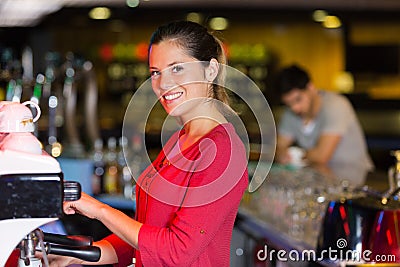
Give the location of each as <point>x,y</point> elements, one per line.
<point>290,78</point>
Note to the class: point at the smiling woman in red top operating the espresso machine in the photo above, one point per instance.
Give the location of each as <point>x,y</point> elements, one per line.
<point>188,198</point>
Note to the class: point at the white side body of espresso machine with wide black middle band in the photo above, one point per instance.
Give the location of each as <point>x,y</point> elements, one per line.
<point>31,195</point>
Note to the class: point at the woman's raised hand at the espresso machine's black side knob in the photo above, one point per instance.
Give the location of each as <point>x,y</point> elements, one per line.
<point>86,205</point>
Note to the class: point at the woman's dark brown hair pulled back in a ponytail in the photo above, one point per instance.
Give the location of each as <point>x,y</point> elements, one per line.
<point>198,43</point>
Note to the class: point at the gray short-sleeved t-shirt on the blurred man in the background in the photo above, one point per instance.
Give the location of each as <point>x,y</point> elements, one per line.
<point>336,116</point>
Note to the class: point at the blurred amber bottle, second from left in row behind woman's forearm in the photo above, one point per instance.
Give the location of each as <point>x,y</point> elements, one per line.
<point>111,175</point>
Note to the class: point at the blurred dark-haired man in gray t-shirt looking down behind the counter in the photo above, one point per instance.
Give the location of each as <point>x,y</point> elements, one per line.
<point>323,124</point>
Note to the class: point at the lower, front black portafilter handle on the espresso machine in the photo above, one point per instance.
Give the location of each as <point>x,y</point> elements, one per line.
<point>86,253</point>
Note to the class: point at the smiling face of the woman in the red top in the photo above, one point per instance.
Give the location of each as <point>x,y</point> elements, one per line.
<point>177,78</point>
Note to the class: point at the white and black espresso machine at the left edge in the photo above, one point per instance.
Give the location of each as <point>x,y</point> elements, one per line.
<point>32,193</point>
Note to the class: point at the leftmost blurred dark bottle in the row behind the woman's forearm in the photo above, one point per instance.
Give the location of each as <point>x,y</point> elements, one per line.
<point>98,167</point>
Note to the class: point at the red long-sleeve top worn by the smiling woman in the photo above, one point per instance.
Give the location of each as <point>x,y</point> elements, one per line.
<point>188,203</point>
